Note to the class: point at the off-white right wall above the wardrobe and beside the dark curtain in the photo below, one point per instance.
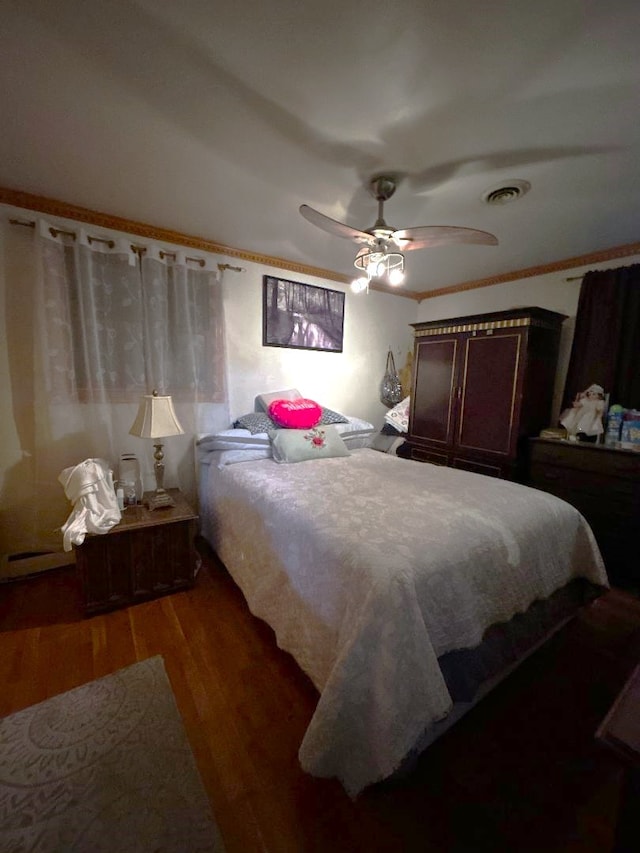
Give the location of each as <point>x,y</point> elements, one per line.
<point>552,291</point>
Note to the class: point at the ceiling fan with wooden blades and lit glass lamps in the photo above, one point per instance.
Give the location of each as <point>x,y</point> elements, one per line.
<point>381,253</point>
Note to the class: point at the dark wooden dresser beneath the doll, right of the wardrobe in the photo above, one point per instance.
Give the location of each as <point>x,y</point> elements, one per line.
<point>604,484</point>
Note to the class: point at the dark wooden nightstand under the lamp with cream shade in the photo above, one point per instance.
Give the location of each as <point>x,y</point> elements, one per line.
<point>145,555</point>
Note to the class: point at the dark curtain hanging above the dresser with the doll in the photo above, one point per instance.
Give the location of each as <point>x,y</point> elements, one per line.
<point>606,343</point>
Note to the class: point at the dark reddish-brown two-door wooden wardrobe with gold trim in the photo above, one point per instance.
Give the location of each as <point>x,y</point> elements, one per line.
<point>482,385</point>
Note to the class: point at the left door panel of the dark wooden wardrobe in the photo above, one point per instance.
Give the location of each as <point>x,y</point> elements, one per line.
<point>435,379</point>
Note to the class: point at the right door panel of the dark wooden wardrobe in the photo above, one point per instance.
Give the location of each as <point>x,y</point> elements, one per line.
<point>491,384</point>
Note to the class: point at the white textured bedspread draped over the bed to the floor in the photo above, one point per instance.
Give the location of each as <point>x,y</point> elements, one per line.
<point>369,567</point>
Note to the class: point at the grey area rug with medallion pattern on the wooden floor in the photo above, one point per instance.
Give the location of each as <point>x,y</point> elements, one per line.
<point>104,767</point>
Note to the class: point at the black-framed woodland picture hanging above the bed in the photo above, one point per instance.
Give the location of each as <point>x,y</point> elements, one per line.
<point>301,316</point>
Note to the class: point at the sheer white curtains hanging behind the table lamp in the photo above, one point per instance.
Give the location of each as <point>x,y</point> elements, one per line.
<point>113,324</point>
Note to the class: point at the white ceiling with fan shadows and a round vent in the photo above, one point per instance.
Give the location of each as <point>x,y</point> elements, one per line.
<point>218,119</point>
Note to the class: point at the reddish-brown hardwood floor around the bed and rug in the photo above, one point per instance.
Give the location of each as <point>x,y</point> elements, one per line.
<point>521,772</point>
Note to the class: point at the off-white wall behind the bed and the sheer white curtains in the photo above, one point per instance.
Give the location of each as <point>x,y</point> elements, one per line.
<point>347,381</point>
